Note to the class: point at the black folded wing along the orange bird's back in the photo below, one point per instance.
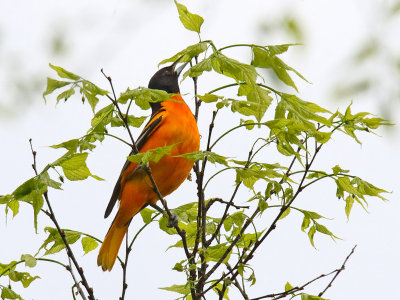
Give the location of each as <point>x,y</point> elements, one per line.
<point>143,137</point>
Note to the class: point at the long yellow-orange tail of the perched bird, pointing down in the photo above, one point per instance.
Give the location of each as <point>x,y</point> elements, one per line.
<point>111,244</point>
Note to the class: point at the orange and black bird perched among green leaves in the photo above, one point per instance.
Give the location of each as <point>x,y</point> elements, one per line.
<point>171,122</point>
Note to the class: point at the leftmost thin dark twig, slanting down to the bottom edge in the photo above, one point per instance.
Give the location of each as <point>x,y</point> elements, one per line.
<point>52,216</point>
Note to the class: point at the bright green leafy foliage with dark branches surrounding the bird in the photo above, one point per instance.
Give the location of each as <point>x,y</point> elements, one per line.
<point>217,248</point>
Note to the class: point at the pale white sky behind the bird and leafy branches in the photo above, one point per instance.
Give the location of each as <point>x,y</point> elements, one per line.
<point>128,39</point>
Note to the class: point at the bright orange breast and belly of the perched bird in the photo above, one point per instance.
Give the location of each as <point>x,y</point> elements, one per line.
<point>178,127</point>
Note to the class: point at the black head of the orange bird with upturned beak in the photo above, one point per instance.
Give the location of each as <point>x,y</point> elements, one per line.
<point>166,79</point>
